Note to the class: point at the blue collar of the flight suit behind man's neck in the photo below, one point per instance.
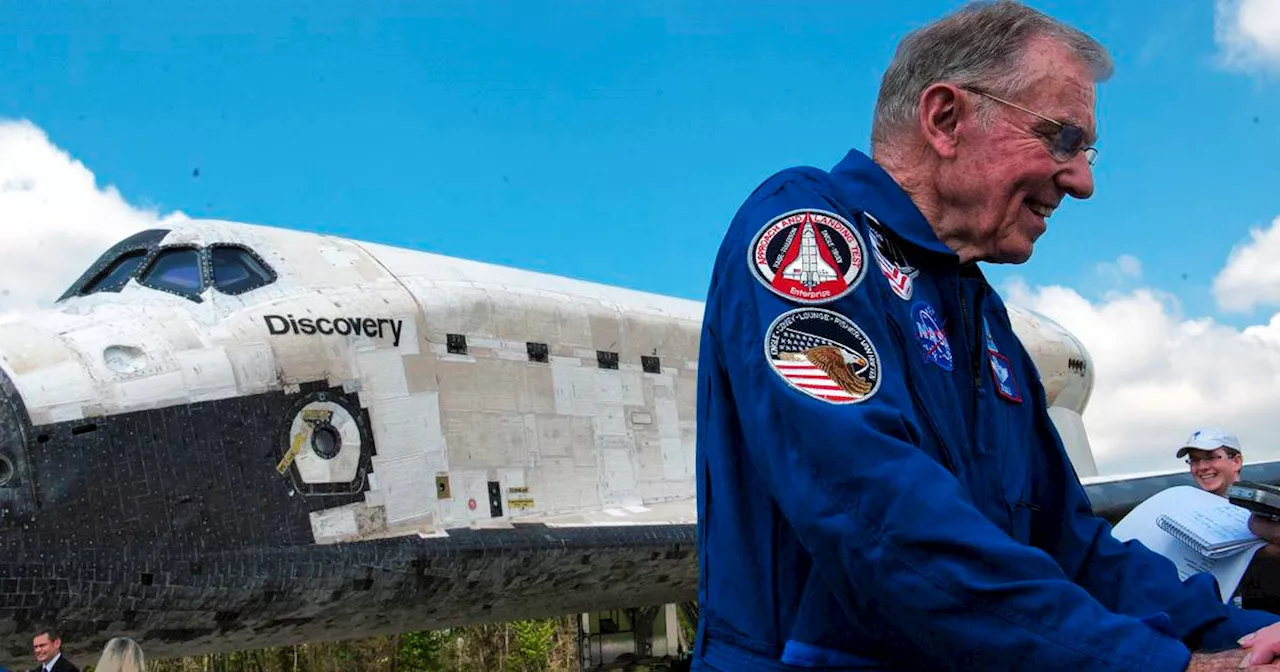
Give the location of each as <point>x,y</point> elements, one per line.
<point>879,194</point>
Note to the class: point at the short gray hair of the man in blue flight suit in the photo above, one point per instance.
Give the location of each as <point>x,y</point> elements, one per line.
<point>980,45</point>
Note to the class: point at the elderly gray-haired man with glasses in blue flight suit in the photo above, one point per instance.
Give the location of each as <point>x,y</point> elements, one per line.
<point>880,483</point>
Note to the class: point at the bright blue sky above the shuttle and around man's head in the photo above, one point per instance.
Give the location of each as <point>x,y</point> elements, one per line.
<point>607,141</point>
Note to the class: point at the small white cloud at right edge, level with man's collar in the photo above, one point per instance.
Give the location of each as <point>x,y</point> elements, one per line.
<point>1252,273</point>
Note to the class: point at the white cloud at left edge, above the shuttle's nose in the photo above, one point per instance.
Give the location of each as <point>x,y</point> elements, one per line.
<point>56,220</point>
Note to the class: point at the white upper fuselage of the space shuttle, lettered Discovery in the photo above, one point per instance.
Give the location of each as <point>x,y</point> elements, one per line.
<point>575,399</point>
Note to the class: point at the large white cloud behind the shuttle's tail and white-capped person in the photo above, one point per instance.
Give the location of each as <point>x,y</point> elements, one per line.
<point>1159,374</point>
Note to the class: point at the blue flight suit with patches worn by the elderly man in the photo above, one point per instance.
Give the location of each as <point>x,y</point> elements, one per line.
<point>880,483</point>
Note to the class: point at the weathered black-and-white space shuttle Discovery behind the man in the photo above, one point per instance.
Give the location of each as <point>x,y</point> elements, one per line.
<point>228,436</point>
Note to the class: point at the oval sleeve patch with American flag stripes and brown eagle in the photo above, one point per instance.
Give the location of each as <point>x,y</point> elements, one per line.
<point>824,355</point>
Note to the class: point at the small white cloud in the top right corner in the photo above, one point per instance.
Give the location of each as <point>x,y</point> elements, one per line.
<point>1249,34</point>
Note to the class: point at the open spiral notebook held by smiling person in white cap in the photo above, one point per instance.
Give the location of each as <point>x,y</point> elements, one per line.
<point>1212,527</point>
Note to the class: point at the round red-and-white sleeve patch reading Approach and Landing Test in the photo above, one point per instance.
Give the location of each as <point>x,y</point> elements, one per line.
<point>810,257</point>
